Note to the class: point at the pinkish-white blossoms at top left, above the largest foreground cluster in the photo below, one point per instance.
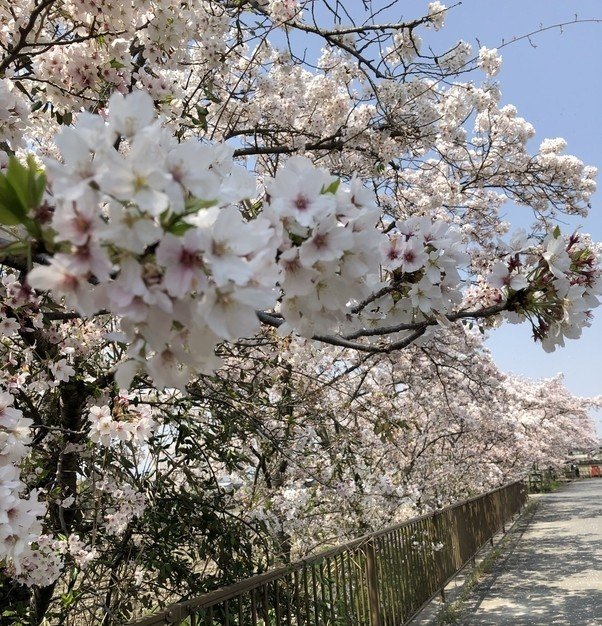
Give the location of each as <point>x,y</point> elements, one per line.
<point>84,68</point>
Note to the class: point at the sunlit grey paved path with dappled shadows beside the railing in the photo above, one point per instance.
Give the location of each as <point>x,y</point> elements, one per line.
<point>553,573</point>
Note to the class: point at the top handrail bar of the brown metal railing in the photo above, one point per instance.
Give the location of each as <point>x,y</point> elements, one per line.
<point>179,610</point>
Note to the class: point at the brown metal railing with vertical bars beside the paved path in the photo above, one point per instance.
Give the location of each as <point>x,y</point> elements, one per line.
<point>381,579</point>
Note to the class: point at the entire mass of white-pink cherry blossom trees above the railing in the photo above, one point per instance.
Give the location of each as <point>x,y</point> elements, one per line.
<point>207,238</point>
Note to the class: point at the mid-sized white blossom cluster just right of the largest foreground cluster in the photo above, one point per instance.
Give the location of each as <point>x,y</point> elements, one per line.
<point>328,254</point>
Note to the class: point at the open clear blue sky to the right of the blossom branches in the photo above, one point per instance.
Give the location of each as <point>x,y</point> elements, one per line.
<point>555,81</point>
